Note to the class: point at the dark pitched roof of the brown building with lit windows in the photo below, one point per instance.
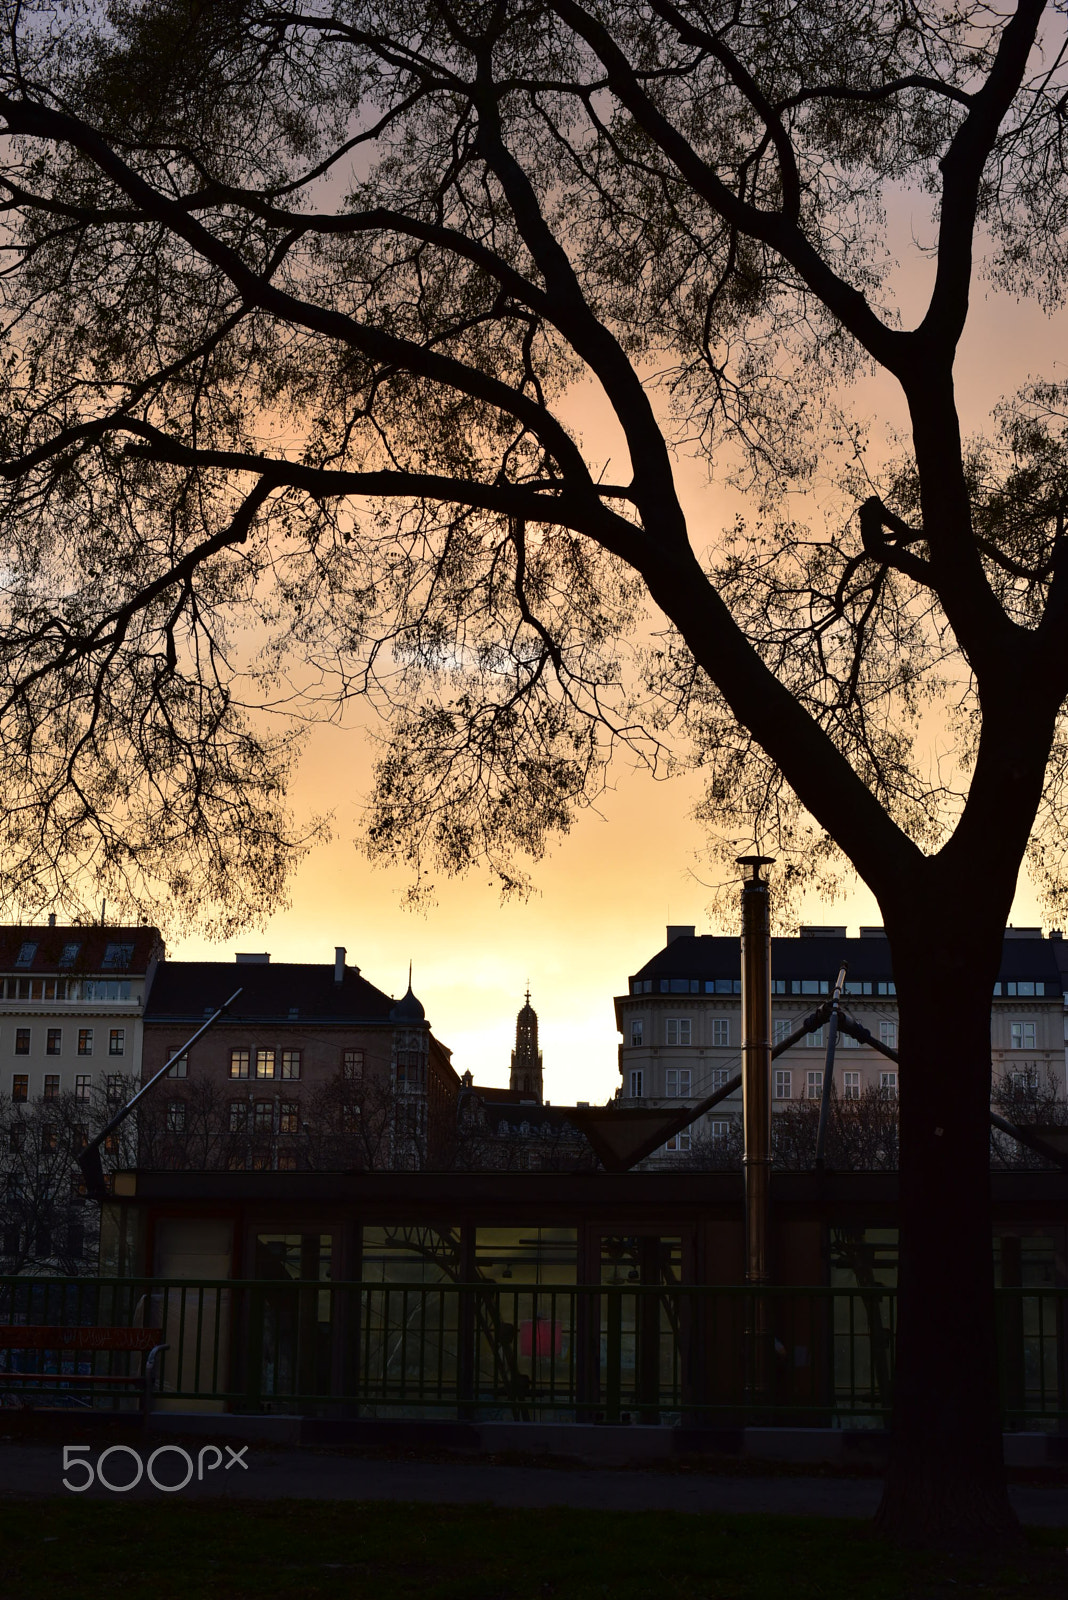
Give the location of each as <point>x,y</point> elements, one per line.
<point>269,991</point>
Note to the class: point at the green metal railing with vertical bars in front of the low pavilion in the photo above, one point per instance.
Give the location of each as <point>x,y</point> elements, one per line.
<point>570,1353</point>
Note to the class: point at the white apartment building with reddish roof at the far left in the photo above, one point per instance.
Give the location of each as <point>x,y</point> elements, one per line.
<point>73,1007</point>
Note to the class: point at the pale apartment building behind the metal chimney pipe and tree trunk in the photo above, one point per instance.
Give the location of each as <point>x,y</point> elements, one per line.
<point>682,1018</point>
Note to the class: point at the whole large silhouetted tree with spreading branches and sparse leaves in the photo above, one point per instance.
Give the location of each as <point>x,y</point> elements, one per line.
<point>305,311</point>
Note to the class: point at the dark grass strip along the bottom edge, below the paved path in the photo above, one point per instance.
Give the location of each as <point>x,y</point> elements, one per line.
<point>95,1551</point>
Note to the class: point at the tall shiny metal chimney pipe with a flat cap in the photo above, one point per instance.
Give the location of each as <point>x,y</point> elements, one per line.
<point>757,1113</point>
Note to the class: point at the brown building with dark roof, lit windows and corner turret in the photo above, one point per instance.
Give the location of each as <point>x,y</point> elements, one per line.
<point>311,1066</point>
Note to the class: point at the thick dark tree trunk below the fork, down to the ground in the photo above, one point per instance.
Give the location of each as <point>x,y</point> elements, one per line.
<point>947,1482</point>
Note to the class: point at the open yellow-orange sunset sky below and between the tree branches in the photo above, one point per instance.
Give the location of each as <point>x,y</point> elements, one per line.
<point>610,889</point>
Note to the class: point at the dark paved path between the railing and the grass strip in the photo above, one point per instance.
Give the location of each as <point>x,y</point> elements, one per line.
<point>36,1471</point>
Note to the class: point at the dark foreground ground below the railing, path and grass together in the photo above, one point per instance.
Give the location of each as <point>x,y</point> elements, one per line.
<point>332,1524</point>
